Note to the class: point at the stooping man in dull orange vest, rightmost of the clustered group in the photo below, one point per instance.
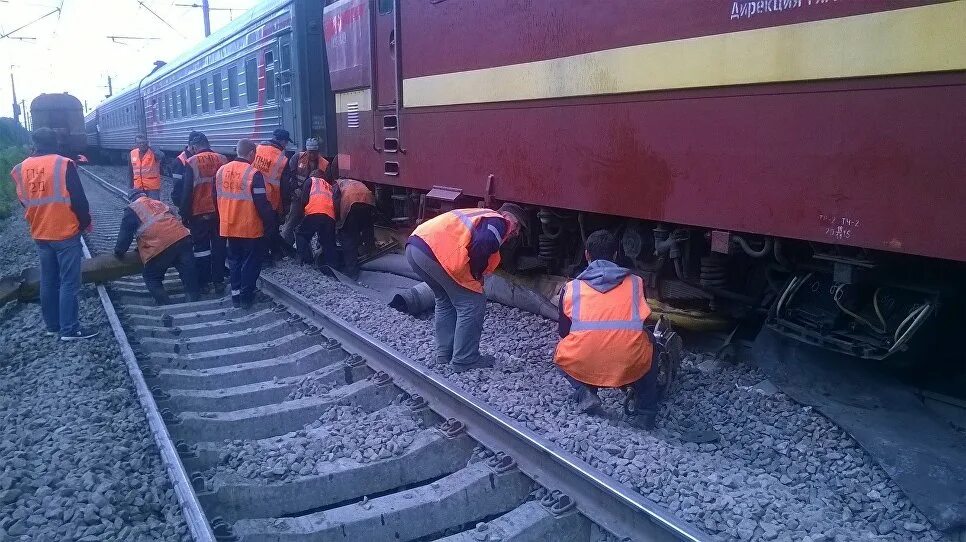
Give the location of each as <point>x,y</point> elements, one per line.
<point>354,226</point>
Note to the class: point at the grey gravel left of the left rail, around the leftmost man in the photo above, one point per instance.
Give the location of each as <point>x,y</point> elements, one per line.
<point>77,460</point>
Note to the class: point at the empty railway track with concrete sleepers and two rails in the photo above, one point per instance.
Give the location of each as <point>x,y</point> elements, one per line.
<point>284,422</point>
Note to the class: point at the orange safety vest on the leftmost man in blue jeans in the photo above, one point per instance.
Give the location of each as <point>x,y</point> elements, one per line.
<point>41,183</point>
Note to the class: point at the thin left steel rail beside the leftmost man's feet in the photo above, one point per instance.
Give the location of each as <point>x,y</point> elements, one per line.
<point>194,515</point>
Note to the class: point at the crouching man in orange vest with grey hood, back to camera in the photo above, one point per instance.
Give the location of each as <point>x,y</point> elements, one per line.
<point>604,343</point>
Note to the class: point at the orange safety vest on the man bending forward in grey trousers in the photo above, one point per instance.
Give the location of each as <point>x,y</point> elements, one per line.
<point>448,236</point>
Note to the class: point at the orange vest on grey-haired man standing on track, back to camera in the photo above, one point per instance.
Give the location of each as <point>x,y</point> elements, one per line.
<point>236,207</point>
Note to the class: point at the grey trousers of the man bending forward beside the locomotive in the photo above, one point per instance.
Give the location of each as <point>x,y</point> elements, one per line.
<point>459,312</point>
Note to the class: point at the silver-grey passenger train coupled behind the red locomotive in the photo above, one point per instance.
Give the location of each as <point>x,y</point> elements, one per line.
<point>264,70</point>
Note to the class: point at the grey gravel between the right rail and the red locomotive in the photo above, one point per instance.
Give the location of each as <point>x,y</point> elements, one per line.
<point>780,471</point>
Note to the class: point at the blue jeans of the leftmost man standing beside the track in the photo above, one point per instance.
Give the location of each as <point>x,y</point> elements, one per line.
<point>60,280</point>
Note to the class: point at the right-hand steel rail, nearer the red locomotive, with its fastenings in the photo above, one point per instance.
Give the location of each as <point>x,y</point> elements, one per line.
<point>602,499</point>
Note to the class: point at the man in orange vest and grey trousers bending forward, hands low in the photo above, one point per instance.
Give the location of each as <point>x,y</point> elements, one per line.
<point>452,253</point>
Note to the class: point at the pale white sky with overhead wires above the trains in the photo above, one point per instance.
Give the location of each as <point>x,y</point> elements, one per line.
<point>72,51</point>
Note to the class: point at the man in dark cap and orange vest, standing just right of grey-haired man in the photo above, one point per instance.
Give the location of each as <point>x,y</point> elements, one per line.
<point>272,162</point>
